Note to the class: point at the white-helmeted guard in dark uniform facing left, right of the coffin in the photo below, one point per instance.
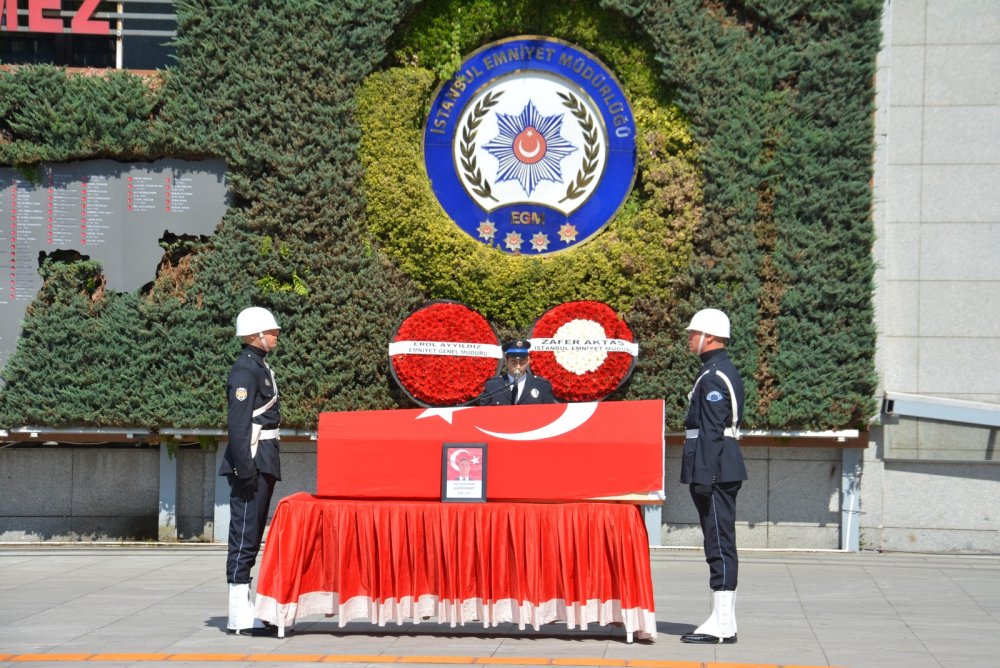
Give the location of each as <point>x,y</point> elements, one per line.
<point>712,465</point>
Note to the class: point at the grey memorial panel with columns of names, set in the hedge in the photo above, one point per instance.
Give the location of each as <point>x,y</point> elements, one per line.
<point>112,212</point>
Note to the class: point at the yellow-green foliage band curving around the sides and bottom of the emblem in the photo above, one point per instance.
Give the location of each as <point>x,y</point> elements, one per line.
<point>638,255</point>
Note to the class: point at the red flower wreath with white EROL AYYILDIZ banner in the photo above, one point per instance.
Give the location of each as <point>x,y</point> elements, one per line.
<point>444,379</point>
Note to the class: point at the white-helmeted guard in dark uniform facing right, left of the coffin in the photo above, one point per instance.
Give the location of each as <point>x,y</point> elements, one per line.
<point>251,462</point>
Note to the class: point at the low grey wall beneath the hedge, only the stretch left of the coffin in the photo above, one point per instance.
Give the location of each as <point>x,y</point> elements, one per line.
<point>55,493</point>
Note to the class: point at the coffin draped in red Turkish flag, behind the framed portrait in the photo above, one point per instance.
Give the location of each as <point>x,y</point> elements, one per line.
<point>534,452</point>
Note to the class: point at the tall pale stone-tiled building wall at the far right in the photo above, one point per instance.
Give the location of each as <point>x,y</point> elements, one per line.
<point>932,485</point>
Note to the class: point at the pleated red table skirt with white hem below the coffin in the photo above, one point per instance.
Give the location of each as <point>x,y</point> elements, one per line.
<point>458,563</point>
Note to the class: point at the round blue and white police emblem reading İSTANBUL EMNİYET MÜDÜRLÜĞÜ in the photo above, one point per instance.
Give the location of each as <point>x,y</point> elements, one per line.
<point>530,148</point>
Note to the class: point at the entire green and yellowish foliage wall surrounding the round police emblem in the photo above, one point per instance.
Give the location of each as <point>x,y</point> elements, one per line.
<point>752,195</point>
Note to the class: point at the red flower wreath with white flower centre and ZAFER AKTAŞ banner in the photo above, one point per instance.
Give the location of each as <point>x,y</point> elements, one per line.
<point>586,374</point>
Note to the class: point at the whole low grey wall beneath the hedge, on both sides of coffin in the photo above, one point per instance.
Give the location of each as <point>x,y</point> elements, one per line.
<point>101,493</point>
